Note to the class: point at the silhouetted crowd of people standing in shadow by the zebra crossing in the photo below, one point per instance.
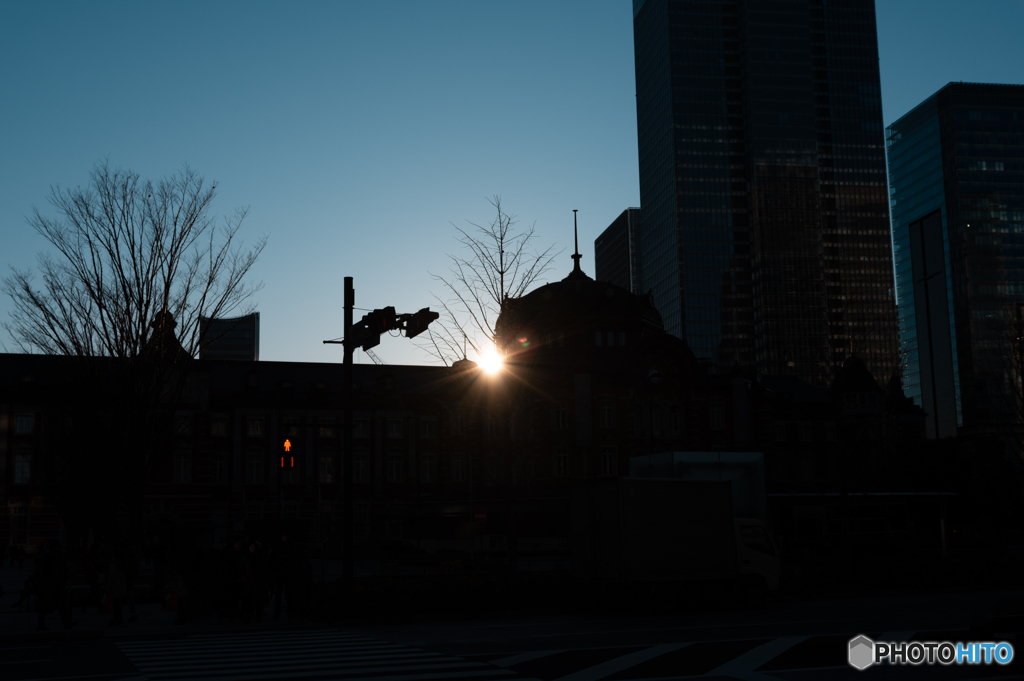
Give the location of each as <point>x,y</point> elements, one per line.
<point>238,582</point>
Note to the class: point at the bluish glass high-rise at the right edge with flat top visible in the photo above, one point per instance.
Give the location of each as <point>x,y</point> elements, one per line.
<point>957,193</point>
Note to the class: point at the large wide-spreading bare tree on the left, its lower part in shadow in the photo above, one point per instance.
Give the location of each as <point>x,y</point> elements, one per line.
<point>138,265</point>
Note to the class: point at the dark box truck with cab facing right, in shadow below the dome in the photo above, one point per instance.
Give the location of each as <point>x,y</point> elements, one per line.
<point>671,537</point>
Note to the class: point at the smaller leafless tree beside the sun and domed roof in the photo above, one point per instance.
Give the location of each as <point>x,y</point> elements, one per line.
<point>498,263</point>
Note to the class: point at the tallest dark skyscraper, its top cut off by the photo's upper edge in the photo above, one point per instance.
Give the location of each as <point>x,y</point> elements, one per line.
<point>765,227</point>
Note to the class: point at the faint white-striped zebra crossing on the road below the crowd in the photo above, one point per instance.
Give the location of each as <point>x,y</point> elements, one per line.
<point>306,656</point>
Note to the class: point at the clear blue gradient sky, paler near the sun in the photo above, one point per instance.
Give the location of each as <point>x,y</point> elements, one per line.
<point>357,133</point>
